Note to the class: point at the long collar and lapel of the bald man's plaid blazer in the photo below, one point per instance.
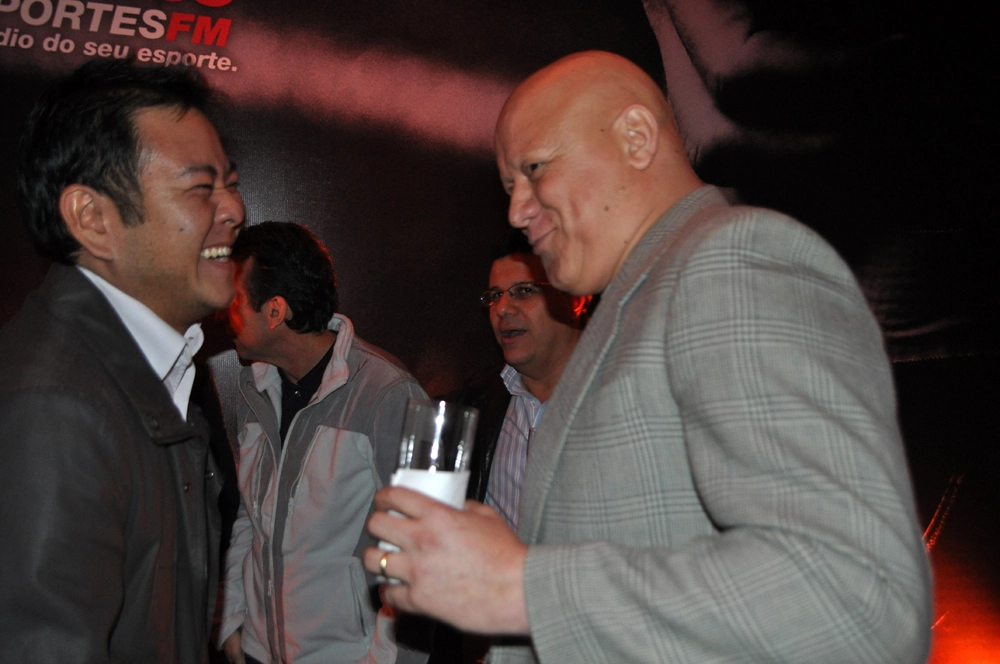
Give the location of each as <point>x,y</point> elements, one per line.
<point>593,347</point>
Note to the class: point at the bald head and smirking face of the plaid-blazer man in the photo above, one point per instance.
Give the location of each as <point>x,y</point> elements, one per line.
<point>589,152</point>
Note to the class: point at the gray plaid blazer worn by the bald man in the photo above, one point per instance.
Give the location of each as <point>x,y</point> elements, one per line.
<point>719,475</point>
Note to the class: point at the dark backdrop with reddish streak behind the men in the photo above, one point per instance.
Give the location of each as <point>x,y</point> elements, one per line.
<point>372,124</point>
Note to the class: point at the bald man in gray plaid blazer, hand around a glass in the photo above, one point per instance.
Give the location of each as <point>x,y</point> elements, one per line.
<point>719,475</point>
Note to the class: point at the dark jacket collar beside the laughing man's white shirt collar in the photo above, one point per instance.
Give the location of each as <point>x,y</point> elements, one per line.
<point>74,299</point>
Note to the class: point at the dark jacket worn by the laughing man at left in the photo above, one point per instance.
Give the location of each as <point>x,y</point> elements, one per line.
<point>108,513</point>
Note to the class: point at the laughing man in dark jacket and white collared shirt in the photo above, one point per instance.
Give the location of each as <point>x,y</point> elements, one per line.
<point>108,520</point>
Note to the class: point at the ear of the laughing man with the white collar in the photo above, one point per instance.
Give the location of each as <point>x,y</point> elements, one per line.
<point>92,219</point>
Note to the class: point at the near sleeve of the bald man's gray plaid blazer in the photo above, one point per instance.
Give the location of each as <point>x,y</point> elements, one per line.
<point>785,399</point>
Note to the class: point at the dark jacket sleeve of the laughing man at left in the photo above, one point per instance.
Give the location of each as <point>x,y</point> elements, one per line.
<point>64,506</point>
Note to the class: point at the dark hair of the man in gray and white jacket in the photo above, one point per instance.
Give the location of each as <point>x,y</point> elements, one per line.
<point>288,260</point>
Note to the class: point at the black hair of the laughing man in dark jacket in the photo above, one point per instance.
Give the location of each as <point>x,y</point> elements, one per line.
<point>82,131</point>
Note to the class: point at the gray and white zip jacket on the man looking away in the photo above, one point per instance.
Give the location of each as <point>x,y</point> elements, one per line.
<point>294,580</point>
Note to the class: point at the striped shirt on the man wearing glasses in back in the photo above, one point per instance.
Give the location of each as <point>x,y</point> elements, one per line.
<point>503,492</point>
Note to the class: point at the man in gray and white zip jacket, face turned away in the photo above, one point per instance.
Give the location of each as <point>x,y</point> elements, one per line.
<point>319,417</point>
